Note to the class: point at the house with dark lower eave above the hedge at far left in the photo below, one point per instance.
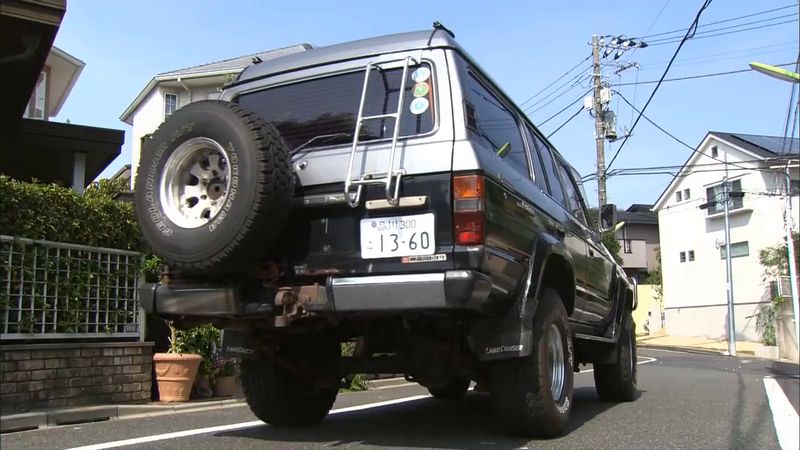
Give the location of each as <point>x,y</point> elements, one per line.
<point>53,152</point>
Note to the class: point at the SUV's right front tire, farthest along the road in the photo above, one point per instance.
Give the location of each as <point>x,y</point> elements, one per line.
<point>616,382</point>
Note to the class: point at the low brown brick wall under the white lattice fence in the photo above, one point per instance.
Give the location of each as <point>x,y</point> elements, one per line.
<point>36,376</point>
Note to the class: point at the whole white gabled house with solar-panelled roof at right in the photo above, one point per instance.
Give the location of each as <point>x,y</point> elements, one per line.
<point>693,239</point>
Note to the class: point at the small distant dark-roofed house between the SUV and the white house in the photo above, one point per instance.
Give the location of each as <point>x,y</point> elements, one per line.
<point>638,240</point>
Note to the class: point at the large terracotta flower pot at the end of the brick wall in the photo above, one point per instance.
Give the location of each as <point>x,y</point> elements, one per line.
<point>175,374</point>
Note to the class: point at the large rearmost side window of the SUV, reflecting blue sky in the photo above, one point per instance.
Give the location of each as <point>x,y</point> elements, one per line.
<point>495,125</point>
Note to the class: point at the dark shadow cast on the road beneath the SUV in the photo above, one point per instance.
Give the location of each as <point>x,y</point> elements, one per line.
<point>427,422</point>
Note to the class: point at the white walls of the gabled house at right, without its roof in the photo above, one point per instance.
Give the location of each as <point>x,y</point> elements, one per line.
<point>695,291</point>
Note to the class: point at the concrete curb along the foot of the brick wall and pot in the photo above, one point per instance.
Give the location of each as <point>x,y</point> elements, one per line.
<point>85,414</point>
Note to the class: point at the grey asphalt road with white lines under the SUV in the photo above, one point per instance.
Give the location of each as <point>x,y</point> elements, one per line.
<point>686,401</point>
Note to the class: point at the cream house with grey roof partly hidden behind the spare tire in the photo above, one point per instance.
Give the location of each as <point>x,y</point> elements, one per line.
<point>168,91</point>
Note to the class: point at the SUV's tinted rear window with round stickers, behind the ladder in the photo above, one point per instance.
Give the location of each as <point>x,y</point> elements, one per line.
<point>323,111</point>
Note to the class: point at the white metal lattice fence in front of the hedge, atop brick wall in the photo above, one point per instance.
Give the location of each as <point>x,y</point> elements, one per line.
<point>52,290</point>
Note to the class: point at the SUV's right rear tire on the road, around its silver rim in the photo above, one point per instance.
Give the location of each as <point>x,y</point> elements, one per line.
<point>521,387</point>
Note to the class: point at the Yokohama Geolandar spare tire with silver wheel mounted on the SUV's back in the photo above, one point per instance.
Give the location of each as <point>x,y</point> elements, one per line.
<point>213,188</point>
